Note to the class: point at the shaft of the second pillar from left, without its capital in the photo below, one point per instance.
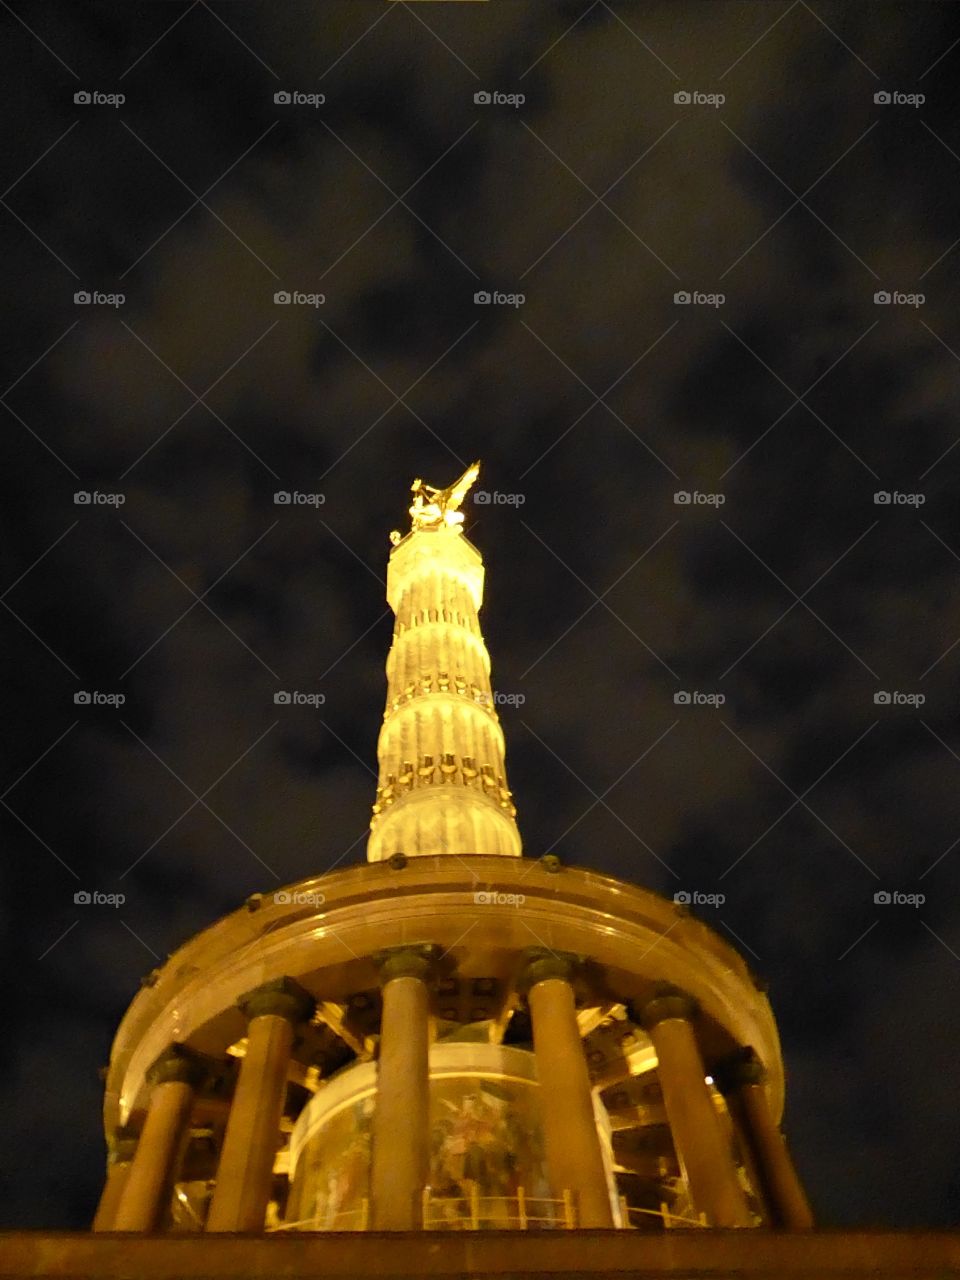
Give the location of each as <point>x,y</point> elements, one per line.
<point>144,1197</point>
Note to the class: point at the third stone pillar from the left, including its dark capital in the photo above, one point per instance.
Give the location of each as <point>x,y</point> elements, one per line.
<point>246,1167</point>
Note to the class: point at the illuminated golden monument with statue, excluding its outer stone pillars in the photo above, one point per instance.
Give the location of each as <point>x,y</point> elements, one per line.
<point>445,871</point>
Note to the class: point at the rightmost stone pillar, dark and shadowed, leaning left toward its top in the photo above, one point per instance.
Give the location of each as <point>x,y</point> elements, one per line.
<point>742,1080</point>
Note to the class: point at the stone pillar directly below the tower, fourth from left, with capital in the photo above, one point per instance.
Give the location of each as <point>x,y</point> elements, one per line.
<point>401,1148</point>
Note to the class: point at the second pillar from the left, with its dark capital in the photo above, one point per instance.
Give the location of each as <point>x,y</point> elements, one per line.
<point>147,1190</point>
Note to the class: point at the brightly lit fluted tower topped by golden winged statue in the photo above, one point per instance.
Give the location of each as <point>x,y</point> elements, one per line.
<point>442,787</point>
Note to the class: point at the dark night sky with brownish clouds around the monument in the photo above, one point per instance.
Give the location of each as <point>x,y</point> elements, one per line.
<point>600,198</point>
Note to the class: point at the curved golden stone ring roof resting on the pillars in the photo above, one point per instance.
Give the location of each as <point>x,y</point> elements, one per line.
<point>633,938</point>
